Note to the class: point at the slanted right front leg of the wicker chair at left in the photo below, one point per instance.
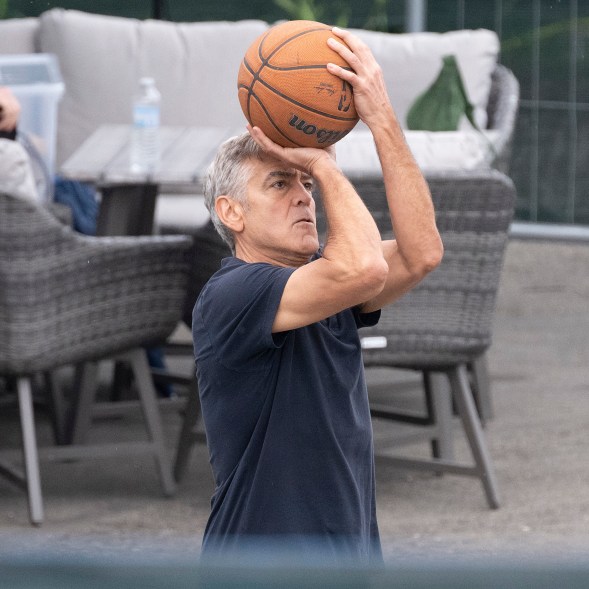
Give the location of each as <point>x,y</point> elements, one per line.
<point>149,405</point>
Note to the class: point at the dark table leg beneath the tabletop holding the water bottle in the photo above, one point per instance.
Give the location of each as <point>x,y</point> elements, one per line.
<point>127,210</point>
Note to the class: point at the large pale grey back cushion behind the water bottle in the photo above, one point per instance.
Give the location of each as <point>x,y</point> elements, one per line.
<point>102,58</point>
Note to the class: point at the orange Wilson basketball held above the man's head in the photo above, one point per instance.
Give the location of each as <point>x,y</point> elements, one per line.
<point>285,89</point>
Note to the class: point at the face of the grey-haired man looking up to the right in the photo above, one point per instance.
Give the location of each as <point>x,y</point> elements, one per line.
<point>279,215</point>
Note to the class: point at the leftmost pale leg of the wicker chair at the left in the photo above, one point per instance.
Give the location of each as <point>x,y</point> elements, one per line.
<point>31,458</point>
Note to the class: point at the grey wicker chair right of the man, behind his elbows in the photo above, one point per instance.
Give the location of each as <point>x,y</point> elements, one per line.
<point>445,323</point>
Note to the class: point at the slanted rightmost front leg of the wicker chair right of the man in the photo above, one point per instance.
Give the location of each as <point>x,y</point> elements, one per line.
<point>474,432</point>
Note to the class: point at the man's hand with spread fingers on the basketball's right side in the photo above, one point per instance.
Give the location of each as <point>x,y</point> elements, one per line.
<point>366,78</point>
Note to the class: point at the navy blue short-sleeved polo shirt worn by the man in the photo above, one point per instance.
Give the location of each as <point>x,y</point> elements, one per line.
<point>286,417</point>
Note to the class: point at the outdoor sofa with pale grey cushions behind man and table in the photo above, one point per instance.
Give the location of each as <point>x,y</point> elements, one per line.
<point>101,59</point>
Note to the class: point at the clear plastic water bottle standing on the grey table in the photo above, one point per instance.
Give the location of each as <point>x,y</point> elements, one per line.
<point>145,148</point>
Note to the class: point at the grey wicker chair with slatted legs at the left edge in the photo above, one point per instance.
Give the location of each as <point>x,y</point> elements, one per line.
<point>67,299</point>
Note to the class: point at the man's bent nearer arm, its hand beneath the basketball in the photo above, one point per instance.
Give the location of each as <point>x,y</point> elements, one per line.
<point>352,269</point>
